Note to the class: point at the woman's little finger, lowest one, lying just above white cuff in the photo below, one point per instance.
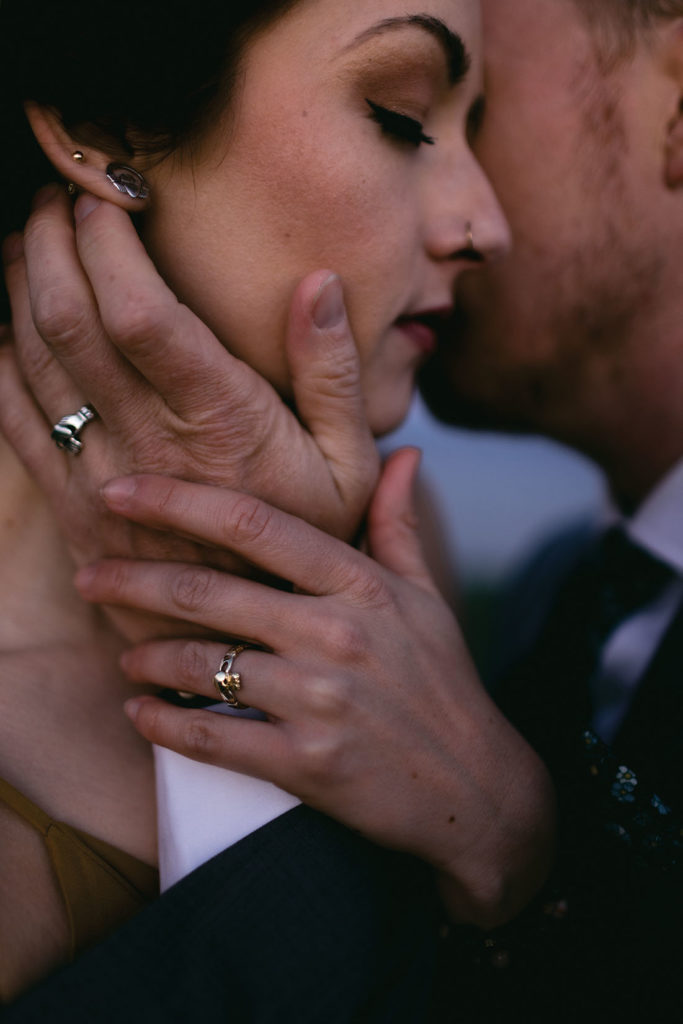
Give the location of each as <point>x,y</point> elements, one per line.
<point>259,749</point>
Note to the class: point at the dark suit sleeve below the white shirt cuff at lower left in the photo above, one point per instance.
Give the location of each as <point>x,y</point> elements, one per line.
<point>304,921</point>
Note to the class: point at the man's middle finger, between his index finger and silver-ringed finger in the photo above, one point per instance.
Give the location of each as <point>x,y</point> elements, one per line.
<point>65,314</point>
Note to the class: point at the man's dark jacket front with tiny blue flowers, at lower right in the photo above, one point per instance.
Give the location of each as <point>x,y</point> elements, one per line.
<point>605,941</point>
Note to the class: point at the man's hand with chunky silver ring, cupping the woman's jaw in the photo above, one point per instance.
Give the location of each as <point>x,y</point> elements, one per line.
<point>95,323</point>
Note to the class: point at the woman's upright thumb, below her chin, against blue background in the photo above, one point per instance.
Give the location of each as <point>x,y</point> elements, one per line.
<point>393,521</point>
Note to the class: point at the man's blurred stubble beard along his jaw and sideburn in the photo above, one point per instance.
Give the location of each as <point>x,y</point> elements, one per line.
<point>534,342</point>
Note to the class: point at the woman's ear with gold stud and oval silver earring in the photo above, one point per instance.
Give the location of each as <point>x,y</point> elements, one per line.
<point>90,169</point>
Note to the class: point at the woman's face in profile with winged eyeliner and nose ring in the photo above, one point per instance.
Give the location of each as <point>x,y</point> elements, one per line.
<point>325,159</point>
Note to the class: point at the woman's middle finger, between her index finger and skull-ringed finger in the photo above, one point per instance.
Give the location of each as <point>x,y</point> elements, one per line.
<point>220,604</point>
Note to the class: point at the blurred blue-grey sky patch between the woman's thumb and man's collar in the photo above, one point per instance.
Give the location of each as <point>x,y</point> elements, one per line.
<point>499,496</point>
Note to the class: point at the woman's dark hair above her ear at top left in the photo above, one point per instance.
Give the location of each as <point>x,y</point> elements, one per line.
<point>139,80</point>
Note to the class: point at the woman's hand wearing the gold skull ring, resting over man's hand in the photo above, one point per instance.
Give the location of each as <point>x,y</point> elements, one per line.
<point>375,713</point>
